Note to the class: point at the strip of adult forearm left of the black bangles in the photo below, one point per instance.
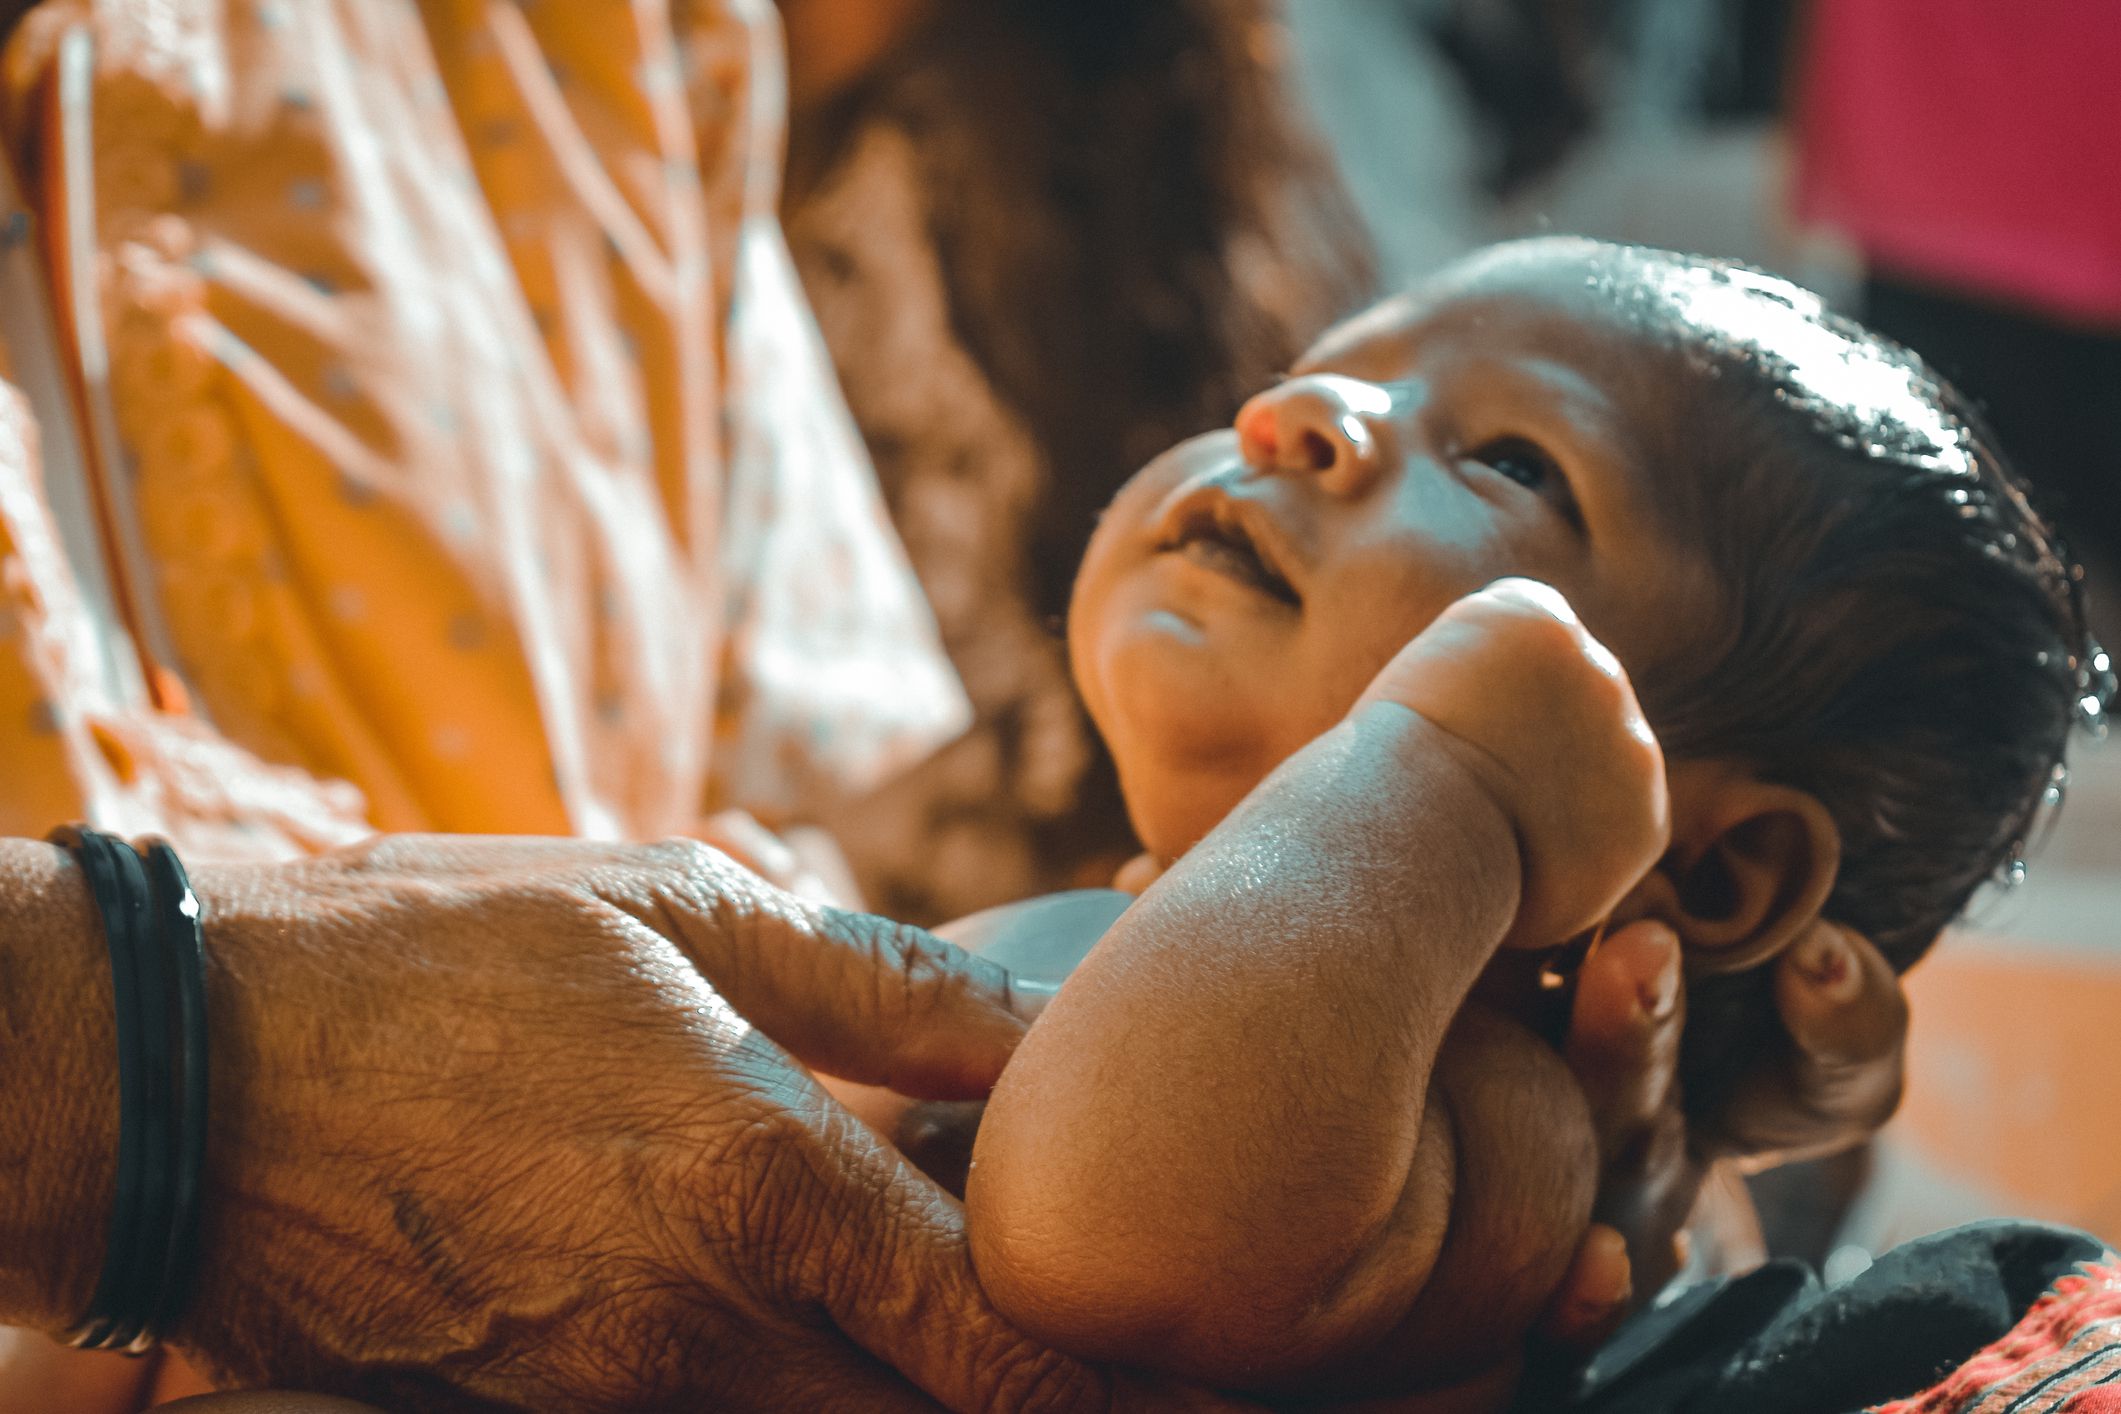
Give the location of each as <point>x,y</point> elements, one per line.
<point>58,1089</point>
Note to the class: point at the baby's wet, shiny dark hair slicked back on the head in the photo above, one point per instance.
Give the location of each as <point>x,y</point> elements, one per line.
<point>1901,635</point>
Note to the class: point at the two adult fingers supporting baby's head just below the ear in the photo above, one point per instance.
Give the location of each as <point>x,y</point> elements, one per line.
<point>1831,1082</point>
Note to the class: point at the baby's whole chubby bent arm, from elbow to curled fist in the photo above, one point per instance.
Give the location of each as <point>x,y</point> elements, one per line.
<point>1235,1144</point>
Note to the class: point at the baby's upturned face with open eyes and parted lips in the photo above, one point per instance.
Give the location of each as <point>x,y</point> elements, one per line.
<point>1248,584</point>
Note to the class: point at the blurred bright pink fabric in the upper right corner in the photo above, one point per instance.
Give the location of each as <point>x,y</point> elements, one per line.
<point>1976,143</point>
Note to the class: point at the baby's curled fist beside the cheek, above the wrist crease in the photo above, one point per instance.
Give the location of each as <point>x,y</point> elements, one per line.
<point>1560,741</point>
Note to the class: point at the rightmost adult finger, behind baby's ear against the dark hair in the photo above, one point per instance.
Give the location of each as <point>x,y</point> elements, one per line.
<point>1840,1076</point>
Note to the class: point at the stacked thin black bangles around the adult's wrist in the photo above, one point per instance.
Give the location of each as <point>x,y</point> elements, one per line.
<point>158,970</point>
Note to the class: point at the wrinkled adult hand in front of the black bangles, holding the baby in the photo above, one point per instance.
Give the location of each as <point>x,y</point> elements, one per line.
<point>487,1139</point>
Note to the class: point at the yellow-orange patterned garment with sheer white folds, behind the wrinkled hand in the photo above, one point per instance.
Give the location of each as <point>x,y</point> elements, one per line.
<point>483,448</point>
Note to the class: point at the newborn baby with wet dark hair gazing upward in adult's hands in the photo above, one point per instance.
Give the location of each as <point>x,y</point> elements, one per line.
<point>1798,650</point>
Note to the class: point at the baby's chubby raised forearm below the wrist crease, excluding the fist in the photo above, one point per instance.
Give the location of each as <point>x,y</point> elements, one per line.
<point>1238,1074</point>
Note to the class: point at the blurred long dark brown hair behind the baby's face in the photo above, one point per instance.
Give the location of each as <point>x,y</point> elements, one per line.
<point>1136,224</point>
